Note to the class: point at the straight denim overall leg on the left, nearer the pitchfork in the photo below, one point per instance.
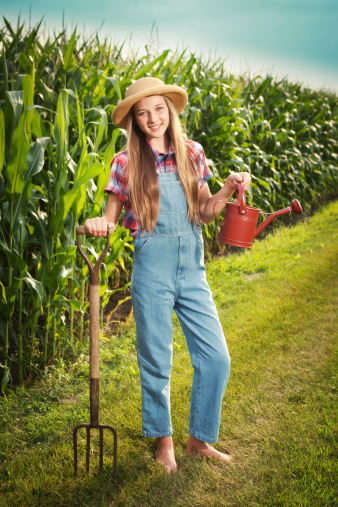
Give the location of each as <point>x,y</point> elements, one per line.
<point>153,287</point>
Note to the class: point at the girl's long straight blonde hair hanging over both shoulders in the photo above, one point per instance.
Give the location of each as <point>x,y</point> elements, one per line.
<point>143,180</point>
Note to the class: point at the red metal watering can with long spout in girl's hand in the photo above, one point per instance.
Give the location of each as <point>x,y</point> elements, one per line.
<point>240,220</point>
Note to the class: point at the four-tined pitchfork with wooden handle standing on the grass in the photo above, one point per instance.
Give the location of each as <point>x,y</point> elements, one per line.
<point>94,352</point>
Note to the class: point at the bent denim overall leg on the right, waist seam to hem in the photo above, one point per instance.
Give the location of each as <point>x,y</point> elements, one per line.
<point>208,350</point>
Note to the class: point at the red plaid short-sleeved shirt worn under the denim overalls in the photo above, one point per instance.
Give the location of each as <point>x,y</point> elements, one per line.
<point>165,163</point>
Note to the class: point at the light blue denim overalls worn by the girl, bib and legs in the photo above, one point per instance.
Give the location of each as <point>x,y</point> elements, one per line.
<point>169,274</point>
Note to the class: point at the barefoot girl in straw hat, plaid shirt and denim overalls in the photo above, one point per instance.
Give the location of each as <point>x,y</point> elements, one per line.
<point>160,179</point>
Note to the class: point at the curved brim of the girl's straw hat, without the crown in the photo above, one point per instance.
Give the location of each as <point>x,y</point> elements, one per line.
<point>176,94</point>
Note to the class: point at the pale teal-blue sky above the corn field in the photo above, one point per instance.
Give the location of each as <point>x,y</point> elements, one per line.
<point>297,39</point>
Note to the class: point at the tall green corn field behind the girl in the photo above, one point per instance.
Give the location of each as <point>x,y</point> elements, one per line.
<point>57,141</point>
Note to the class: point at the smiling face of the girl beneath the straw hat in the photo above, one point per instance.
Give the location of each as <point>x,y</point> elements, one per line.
<point>152,116</point>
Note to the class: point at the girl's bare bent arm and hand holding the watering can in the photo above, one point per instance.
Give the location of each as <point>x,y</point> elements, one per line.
<point>207,202</point>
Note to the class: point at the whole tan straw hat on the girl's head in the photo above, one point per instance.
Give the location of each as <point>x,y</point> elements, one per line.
<point>145,87</point>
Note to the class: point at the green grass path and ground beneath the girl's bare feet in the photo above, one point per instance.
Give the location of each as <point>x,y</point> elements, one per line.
<point>277,304</point>
